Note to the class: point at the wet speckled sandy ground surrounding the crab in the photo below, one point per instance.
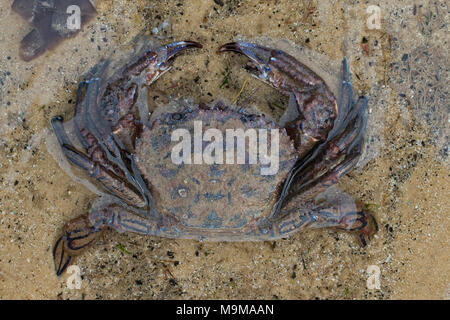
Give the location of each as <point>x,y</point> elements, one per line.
<point>404,69</point>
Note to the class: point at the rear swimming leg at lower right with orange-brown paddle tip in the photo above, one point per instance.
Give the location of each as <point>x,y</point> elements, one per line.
<point>328,215</point>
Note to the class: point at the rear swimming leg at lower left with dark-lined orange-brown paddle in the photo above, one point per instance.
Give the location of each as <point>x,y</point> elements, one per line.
<point>80,233</point>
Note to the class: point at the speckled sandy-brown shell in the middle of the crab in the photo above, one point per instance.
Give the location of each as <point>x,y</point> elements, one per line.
<point>215,201</point>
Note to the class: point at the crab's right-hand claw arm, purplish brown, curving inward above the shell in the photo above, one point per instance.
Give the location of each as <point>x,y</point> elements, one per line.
<point>316,104</point>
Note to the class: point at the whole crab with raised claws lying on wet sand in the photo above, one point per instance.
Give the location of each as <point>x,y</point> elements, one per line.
<point>128,155</point>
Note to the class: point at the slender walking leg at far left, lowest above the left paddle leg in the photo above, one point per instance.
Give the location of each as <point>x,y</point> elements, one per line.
<point>110,181</point>
